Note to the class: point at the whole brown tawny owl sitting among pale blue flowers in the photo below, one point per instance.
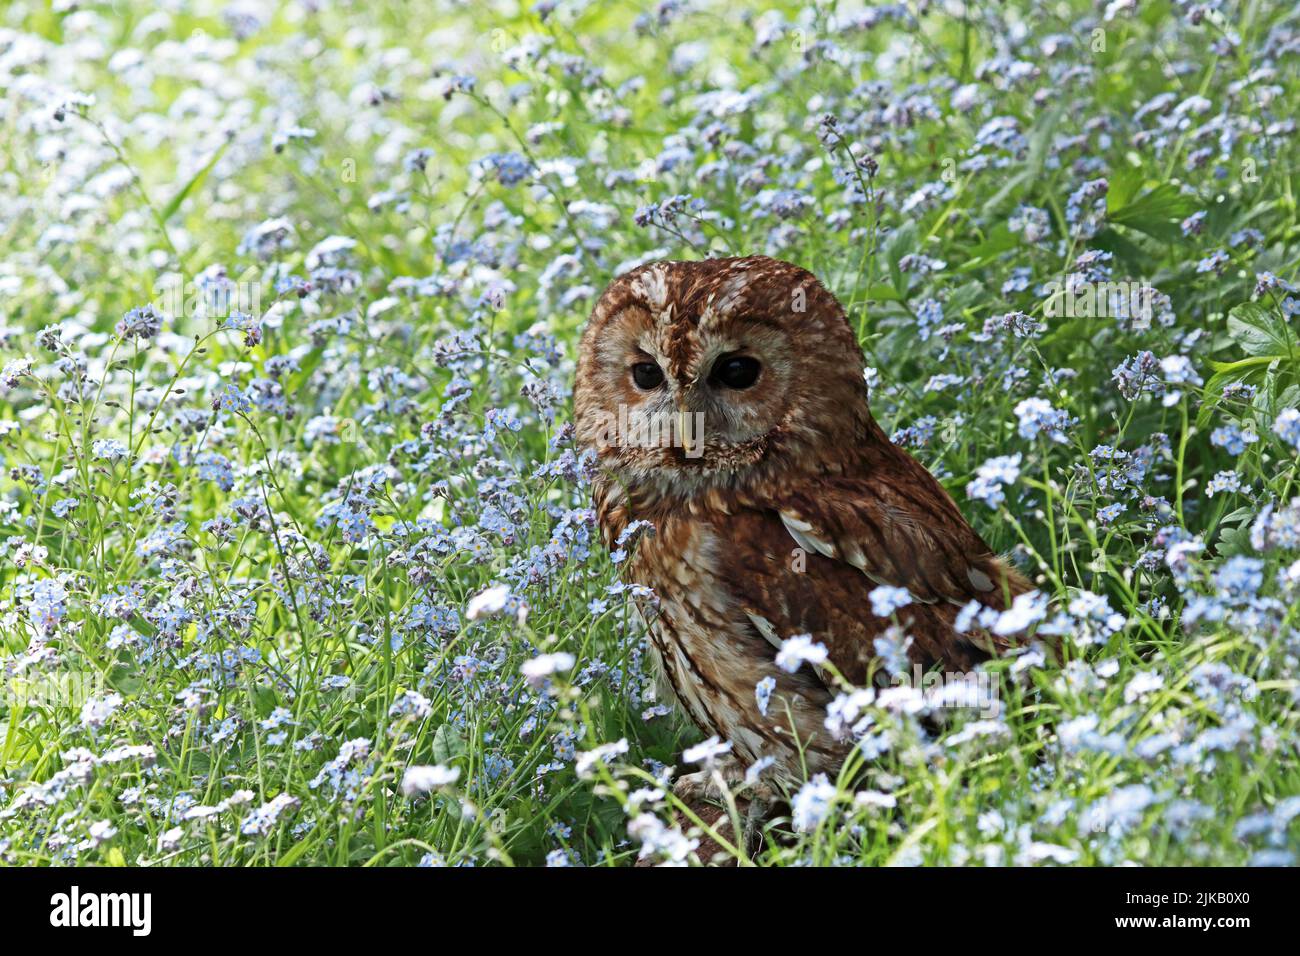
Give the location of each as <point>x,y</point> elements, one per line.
<point>727,404</point>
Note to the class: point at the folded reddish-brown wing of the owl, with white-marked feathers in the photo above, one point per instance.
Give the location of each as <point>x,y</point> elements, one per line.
<point>898,527</point>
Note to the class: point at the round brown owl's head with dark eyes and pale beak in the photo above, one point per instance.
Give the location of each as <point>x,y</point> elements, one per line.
<point>696,375</point>
